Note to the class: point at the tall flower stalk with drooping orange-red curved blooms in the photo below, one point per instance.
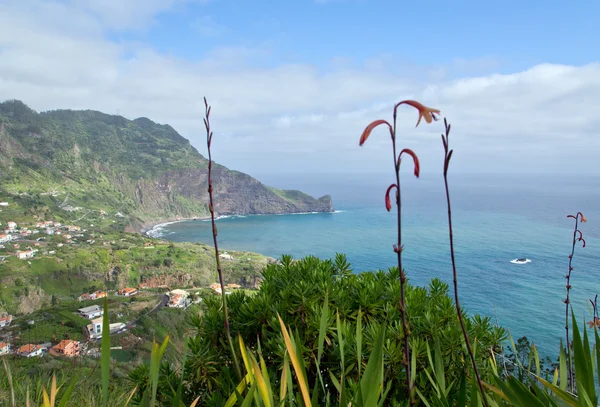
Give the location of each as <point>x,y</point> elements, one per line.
<point>429,115</point>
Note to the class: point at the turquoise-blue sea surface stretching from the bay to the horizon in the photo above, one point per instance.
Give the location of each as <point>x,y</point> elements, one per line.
<point>496,220</point>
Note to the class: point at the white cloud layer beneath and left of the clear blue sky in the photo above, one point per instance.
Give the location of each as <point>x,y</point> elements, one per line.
<point>294,117</point>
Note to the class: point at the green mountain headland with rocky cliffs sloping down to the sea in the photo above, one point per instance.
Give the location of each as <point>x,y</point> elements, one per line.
<point>88,160</point>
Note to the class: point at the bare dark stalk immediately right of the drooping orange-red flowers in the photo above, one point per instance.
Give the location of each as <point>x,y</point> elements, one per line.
<point>447,157</point>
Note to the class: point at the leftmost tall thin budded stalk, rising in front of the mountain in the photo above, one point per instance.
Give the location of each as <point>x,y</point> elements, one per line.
<point>211,208</point>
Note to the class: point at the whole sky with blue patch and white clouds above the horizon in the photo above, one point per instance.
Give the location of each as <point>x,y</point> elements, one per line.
<point>293,83</point>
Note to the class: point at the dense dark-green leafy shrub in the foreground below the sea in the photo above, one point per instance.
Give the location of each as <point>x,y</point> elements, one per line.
<point>364,302</point>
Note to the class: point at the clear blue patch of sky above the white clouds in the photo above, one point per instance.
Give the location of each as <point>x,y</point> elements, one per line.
<point>516,34</point>
